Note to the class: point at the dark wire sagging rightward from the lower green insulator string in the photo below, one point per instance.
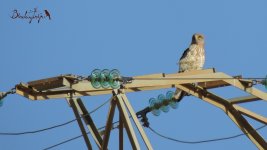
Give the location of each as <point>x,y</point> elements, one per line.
<point>201,141</point>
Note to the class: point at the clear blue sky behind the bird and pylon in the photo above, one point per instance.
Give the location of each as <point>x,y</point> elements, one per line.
<point>137,37</point>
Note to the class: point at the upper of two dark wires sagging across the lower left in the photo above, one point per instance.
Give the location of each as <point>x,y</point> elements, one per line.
<point>52,127</point>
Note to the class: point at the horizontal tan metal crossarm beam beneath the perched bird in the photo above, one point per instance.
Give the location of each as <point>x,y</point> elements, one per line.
<point>61,86</point>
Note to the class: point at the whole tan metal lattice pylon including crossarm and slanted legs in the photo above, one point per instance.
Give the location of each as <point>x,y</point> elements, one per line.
<point>71,87</point>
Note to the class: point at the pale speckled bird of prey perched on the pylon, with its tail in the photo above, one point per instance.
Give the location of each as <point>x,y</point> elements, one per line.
<point>193,58</point>
